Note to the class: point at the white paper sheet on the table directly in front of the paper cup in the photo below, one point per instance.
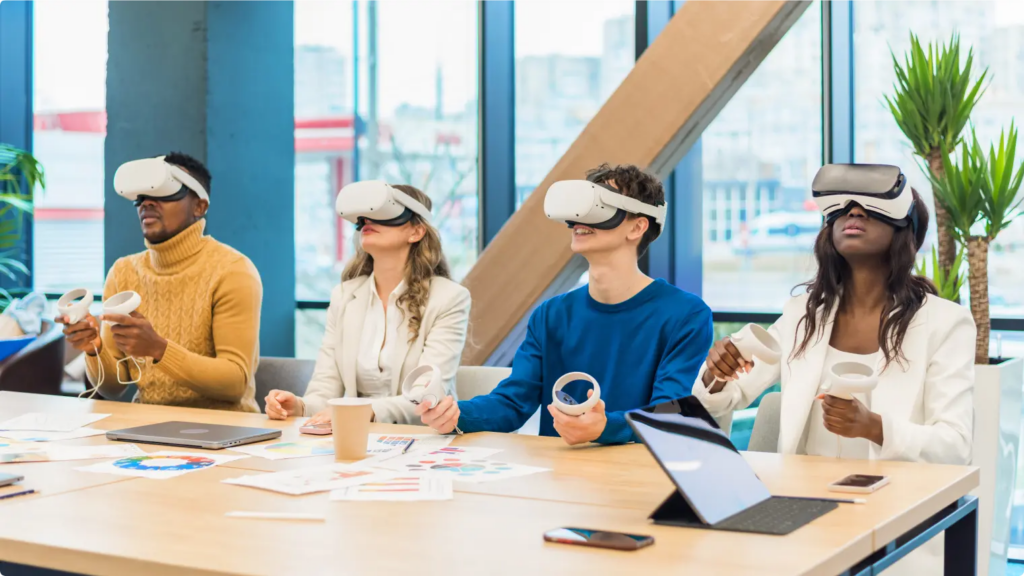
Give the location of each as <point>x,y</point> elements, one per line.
<point>317,479</point>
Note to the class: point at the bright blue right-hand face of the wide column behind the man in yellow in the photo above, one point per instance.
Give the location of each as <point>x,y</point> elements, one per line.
<point>250,143</point>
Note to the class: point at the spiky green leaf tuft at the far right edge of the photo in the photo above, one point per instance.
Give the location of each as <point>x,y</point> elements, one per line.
<point>1001,186</point>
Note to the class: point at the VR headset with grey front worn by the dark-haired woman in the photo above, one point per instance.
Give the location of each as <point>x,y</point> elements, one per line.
<point>878,189</point>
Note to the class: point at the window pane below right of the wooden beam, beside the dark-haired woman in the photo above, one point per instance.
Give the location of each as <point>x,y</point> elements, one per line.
<point>759,157</point>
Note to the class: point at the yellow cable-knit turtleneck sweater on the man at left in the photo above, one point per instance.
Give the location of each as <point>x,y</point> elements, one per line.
<point>204,298</point>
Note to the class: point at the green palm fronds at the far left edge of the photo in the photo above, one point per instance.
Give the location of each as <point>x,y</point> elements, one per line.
<point>16,164</point>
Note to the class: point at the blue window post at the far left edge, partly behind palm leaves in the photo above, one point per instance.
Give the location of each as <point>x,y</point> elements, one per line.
<point>16,106</point>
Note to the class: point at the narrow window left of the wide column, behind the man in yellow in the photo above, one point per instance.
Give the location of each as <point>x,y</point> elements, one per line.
<point>70,126</point>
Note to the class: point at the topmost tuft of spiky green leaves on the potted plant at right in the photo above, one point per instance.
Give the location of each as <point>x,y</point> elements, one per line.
<point>934,97</point>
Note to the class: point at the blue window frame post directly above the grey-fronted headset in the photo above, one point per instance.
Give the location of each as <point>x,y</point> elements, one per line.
<point>838,78</point>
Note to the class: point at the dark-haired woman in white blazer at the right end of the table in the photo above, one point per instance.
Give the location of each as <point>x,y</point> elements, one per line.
<point>864,305</point>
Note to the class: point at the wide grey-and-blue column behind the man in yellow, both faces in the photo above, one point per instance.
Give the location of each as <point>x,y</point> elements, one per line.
<point>215,80</point>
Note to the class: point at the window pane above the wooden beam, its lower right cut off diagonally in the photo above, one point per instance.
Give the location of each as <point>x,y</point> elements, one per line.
<point>569,60</point>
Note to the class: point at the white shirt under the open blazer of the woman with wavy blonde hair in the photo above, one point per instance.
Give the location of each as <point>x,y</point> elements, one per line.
<point>380,333</point>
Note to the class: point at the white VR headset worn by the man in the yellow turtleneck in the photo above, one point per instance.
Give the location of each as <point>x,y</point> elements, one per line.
<point>153,179</point>
